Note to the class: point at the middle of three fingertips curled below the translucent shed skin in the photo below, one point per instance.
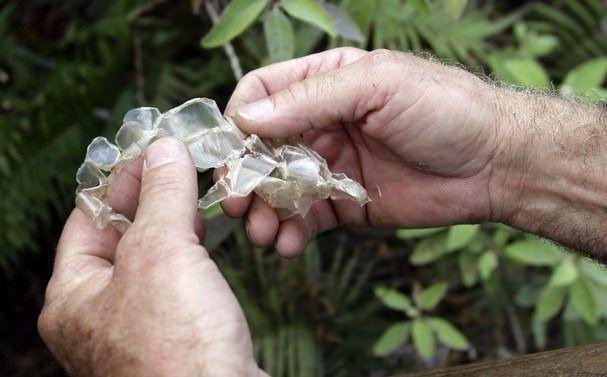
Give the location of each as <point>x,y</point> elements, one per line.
<point>262,222</point>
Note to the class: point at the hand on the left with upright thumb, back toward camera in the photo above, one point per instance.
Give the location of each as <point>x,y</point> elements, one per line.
<point>151,302</point>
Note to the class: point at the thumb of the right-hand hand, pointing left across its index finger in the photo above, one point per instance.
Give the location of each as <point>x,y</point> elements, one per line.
<point>313,103</point>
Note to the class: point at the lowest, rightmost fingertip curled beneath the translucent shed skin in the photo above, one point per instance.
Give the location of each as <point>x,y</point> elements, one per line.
<point>295,232</point>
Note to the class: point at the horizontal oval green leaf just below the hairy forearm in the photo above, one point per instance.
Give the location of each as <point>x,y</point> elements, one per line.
<point>534,252</point>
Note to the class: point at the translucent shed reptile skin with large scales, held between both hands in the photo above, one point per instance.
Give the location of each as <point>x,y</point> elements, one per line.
<point>290,177</point>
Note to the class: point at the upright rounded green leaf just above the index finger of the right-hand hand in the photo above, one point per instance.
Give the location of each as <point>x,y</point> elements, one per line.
<point>279,35</point>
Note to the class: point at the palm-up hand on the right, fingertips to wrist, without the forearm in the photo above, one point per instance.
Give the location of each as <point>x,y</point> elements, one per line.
<point>419,135</point>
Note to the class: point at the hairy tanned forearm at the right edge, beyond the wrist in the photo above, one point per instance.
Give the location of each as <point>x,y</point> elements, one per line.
<point>551,174</point>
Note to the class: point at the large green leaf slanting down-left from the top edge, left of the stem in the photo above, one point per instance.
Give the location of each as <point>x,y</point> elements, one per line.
<point>234,19</point>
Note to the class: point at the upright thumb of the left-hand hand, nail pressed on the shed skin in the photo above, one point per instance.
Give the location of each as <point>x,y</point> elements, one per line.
<point>168,187</point>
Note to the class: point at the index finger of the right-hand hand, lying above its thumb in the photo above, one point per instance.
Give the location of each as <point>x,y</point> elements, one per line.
<point>265,81</point>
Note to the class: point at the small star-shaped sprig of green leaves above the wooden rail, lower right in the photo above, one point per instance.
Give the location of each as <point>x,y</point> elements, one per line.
<point>423,329</point>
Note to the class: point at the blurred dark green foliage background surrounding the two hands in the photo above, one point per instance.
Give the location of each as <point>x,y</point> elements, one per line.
<point>70,70</point>
